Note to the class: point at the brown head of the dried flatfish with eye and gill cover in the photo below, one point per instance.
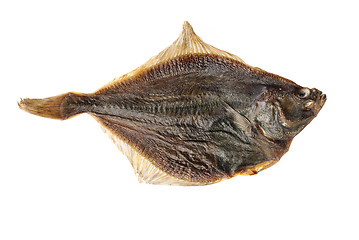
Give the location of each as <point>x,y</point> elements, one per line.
<point>284,112</point>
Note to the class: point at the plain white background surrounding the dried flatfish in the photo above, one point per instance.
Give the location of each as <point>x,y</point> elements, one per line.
<point>66,180</point>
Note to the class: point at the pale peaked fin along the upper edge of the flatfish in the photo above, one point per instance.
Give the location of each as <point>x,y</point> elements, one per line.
<point>186,44</point>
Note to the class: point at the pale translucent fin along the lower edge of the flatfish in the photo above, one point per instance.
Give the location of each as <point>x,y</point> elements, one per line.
<point>146,171</point>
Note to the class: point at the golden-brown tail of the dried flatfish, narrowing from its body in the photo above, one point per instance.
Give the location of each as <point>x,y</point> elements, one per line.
<point>59,107</point>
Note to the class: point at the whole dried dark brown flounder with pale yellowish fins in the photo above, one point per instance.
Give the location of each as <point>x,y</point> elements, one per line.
<point>194,114</point>
